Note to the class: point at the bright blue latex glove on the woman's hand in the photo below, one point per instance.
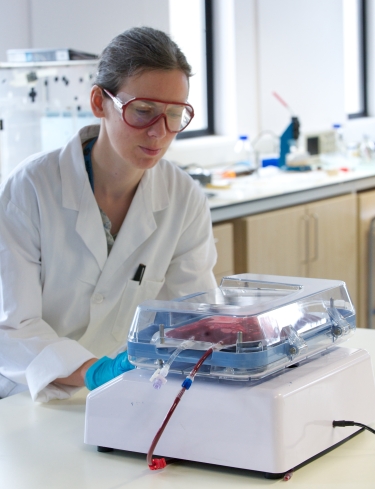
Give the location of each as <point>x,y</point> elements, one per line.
<point>106,369</point>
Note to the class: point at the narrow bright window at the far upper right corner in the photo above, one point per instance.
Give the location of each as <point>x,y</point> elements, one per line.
<point>355,58</point>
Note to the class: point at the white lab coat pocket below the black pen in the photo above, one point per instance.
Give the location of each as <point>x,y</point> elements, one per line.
<point>132,296</point>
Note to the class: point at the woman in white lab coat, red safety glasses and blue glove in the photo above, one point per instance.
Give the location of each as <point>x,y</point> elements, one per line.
<point>91,230</point>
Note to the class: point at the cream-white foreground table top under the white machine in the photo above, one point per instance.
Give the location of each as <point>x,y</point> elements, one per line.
<point>41,446</point>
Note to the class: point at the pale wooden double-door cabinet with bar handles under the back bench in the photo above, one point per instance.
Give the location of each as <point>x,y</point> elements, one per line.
<point>317,240</point>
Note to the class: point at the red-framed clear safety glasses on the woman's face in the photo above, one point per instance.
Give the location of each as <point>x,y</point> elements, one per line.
<point>144,112</point>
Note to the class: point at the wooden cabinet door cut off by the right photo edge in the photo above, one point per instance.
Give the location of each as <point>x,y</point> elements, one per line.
<point>366,212</point>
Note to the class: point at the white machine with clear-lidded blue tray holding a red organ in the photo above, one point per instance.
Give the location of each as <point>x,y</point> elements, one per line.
<point>265,397</point>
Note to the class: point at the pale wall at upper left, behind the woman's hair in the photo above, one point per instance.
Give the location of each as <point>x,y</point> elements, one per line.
<point>86,25</point>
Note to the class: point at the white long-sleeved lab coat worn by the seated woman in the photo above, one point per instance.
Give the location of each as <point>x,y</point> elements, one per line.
<point>62,300</point>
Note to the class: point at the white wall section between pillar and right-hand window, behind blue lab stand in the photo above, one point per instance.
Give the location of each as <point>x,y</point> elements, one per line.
<point>301,57</point>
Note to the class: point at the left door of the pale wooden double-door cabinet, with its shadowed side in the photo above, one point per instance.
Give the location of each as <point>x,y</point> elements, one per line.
<point>272,243</point>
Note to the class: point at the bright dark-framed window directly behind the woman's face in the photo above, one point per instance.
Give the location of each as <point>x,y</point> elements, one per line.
<point>191,29</point>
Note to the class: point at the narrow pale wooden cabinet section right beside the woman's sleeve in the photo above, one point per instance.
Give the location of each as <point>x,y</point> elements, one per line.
<point>224,242</point>
